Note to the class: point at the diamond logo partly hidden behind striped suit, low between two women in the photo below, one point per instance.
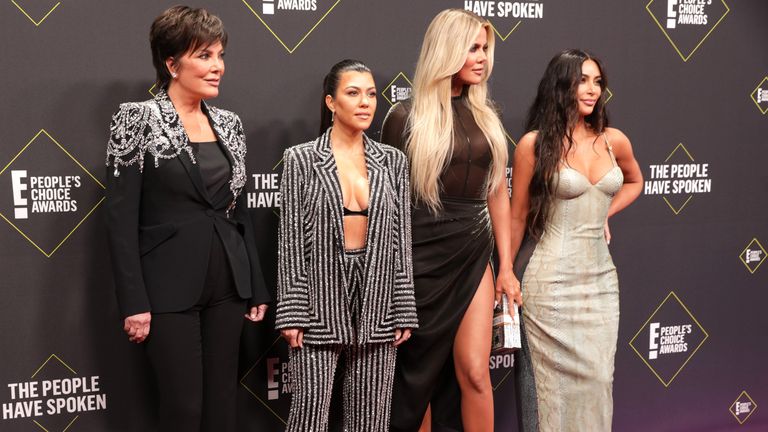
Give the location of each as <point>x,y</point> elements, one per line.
<point>269,380</point>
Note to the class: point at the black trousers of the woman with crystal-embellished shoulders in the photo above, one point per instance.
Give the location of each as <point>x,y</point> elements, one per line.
<point>194,354</point>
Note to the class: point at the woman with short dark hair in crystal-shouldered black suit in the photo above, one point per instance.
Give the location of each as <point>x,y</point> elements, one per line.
<point>182,245</point>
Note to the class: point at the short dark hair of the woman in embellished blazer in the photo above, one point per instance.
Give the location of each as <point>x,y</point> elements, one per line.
<point>178,30</point>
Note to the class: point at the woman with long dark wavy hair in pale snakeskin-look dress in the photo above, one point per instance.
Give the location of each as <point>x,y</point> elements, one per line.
<point>571,173</point>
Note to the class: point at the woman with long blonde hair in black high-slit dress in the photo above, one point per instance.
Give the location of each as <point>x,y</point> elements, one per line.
<point>457,151</point>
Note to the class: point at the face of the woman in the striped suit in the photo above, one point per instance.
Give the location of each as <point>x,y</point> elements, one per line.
<point>354,103</point>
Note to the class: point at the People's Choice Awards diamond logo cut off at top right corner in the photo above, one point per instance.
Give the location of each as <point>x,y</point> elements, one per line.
<point>687,23</point>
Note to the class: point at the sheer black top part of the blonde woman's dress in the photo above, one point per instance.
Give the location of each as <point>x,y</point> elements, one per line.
<point>466,175</point>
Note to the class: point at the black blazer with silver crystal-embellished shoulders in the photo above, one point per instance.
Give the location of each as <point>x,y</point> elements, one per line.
<point>160,219</point>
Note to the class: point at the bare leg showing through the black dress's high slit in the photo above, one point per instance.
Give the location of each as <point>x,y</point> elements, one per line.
<point>471,352</point>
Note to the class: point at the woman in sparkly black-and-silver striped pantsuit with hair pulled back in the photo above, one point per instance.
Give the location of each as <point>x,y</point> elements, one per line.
<point>345,282</point>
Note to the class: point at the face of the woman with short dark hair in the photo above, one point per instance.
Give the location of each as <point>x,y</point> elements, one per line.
<point>198,72</point>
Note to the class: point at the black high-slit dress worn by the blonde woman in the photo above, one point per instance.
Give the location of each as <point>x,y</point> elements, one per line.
<point>451,251</point>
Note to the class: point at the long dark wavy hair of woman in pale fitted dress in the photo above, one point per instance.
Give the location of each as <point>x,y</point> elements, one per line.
<point>554,115</point>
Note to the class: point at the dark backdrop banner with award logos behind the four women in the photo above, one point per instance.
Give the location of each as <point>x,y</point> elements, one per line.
<point>688,83</point>
